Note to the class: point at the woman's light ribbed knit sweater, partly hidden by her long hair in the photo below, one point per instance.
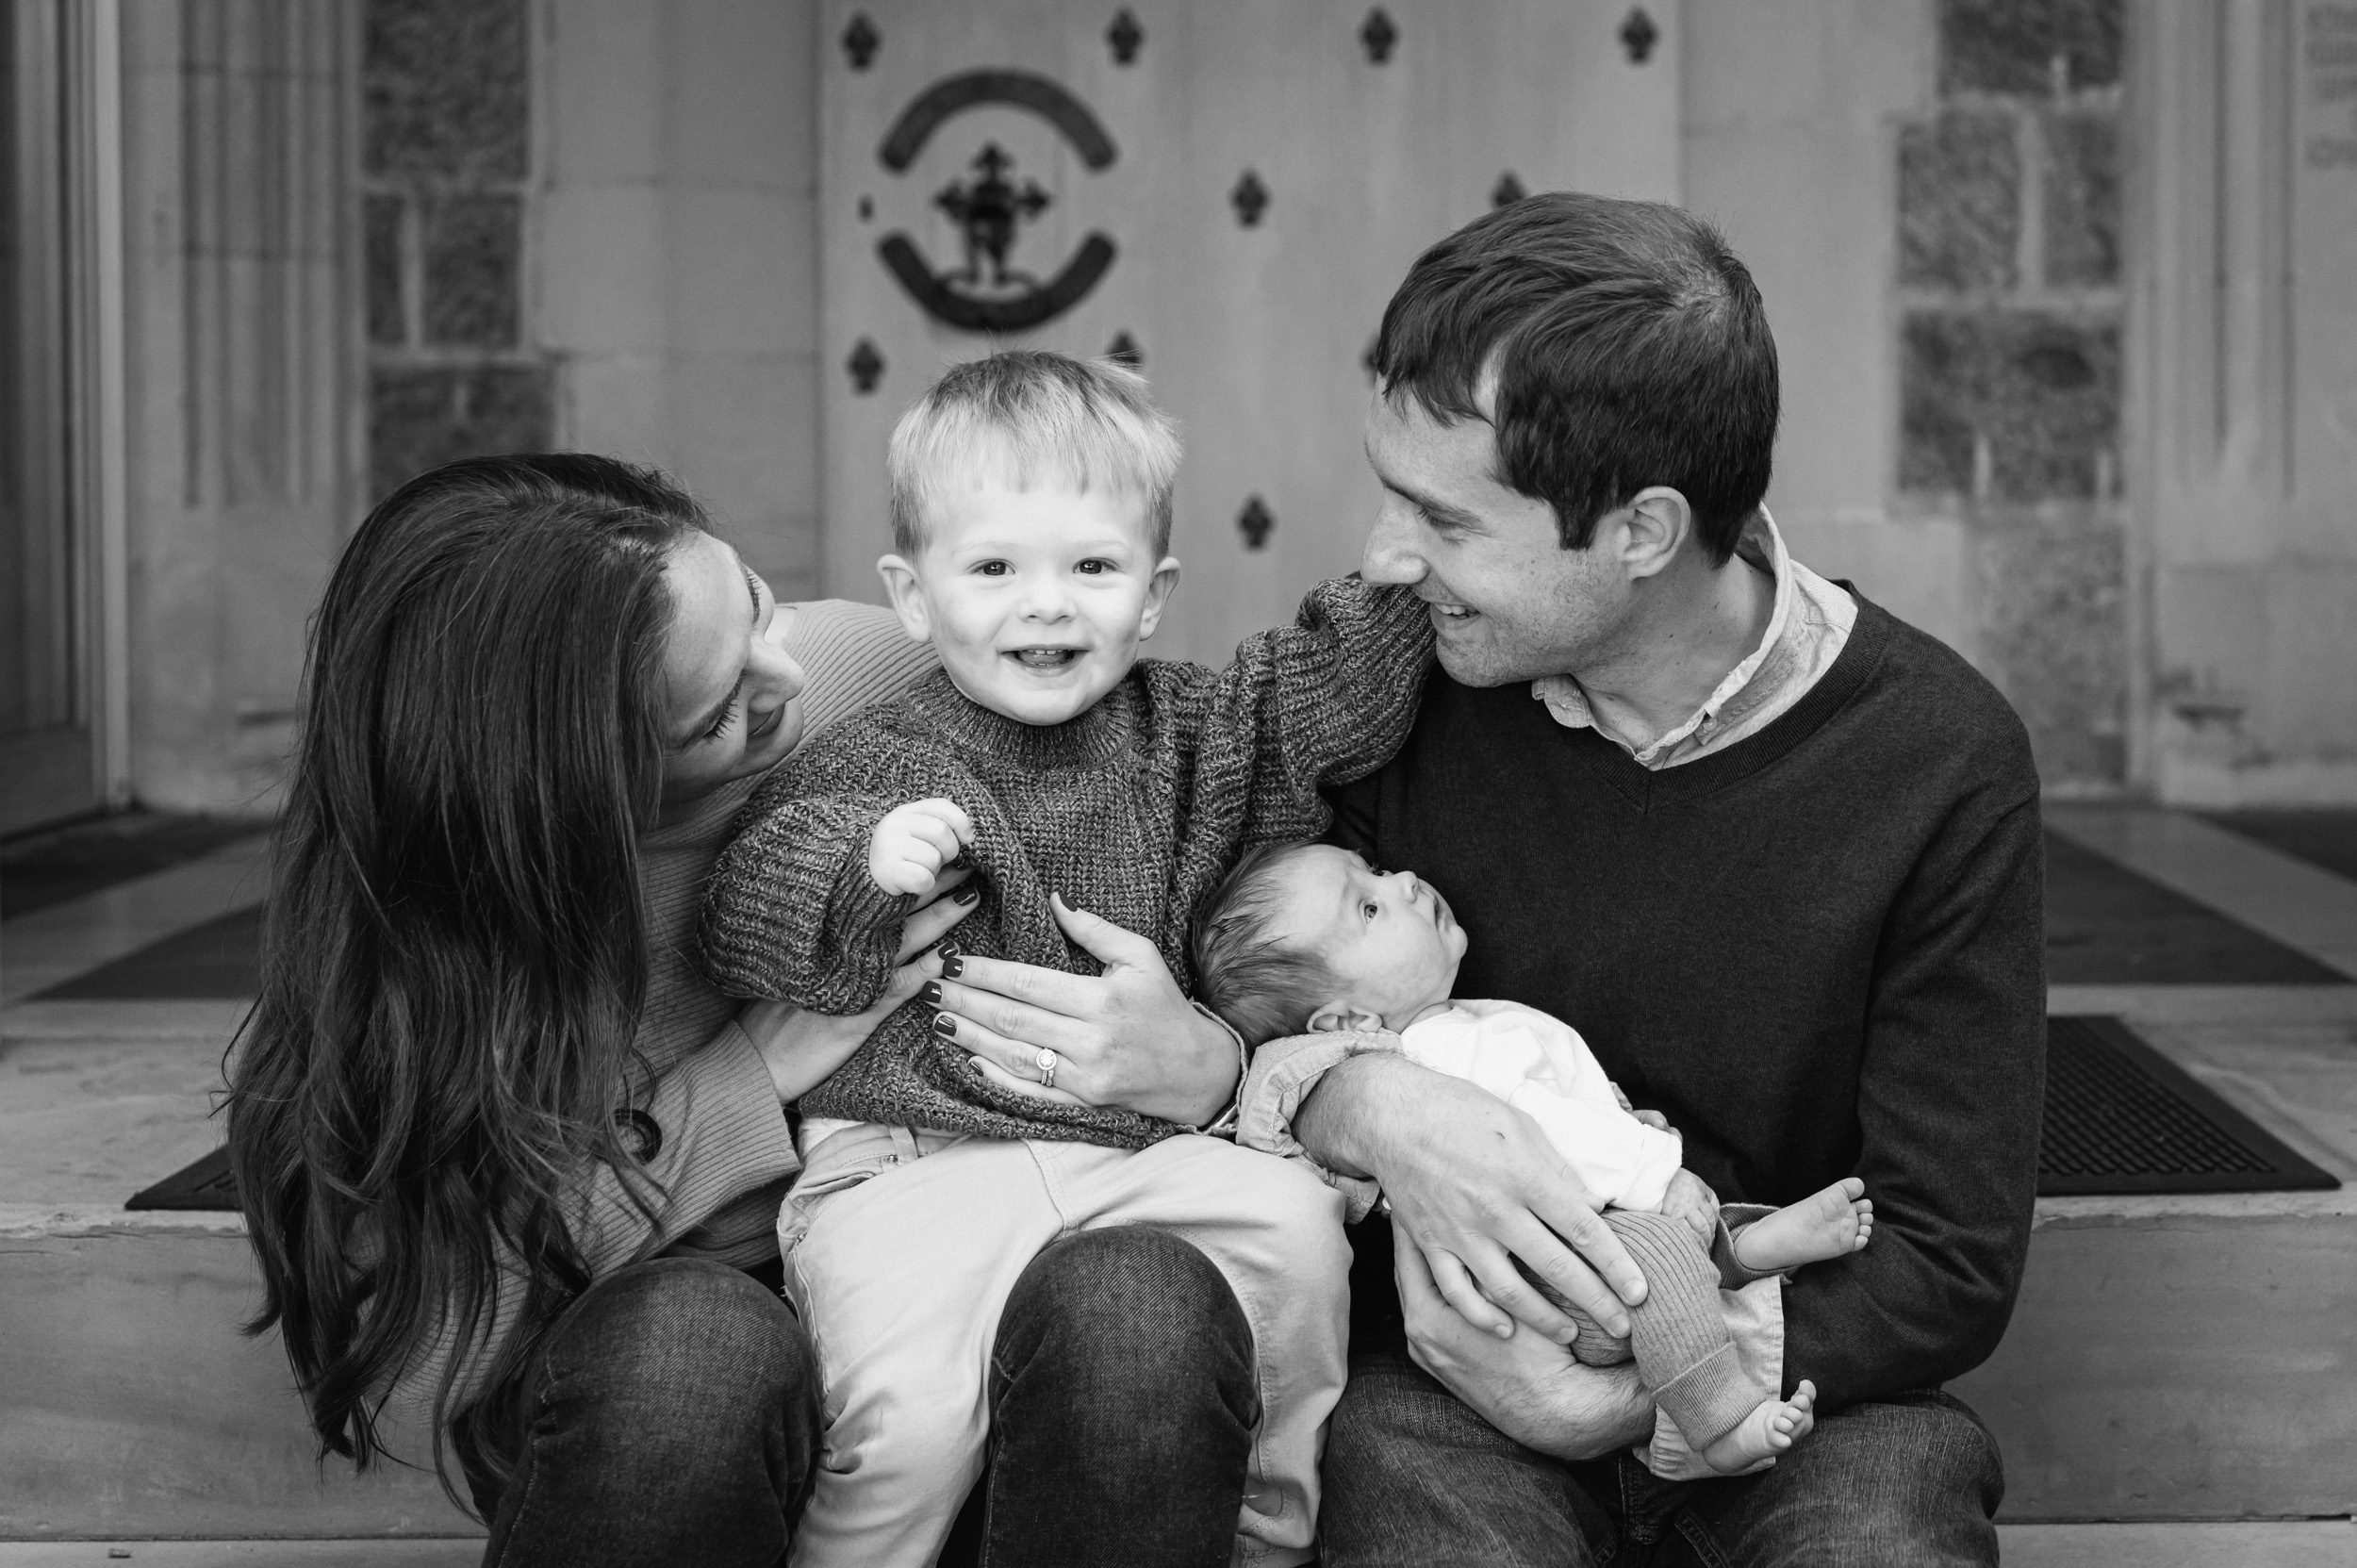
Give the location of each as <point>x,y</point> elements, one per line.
<point>725,1157</point>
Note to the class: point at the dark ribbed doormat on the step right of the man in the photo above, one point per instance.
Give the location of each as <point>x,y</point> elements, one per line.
<point>2122,1119</point>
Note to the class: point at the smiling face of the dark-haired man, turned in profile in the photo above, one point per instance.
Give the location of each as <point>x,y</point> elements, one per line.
<point>1507,600</point>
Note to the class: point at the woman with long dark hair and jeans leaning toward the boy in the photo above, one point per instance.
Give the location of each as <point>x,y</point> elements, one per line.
<point>508,1159</point>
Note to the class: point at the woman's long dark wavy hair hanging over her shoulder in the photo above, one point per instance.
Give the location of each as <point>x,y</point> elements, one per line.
<point>456,949</point>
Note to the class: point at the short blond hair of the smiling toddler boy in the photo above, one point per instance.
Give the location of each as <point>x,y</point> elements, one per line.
<point>1026,416</point>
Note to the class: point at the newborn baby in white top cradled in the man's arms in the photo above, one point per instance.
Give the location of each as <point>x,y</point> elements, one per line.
<point>1309,937</point>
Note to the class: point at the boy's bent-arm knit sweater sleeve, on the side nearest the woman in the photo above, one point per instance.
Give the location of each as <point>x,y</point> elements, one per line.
<point>793,914</point>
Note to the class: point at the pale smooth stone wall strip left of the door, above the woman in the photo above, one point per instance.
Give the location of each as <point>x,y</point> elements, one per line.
<point>680,253</point>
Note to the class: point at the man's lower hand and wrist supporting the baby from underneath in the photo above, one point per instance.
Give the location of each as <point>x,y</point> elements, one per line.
<point>1526,1388</point>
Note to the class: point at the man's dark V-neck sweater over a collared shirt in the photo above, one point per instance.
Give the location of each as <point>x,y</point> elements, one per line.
<point>1816,951</point>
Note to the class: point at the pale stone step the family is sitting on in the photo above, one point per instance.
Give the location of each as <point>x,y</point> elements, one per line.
<point>2172,1357</point>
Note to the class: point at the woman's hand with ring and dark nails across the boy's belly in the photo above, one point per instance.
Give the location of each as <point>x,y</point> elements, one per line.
<point>1125,1036</point>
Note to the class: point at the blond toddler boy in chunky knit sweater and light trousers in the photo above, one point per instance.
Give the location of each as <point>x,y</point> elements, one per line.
<point>1031,522</point>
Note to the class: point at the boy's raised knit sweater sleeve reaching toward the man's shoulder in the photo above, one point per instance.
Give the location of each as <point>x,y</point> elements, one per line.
<point>1316,704</point>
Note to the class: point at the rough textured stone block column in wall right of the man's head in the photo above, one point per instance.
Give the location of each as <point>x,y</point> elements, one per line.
<point>2009,343</point>
